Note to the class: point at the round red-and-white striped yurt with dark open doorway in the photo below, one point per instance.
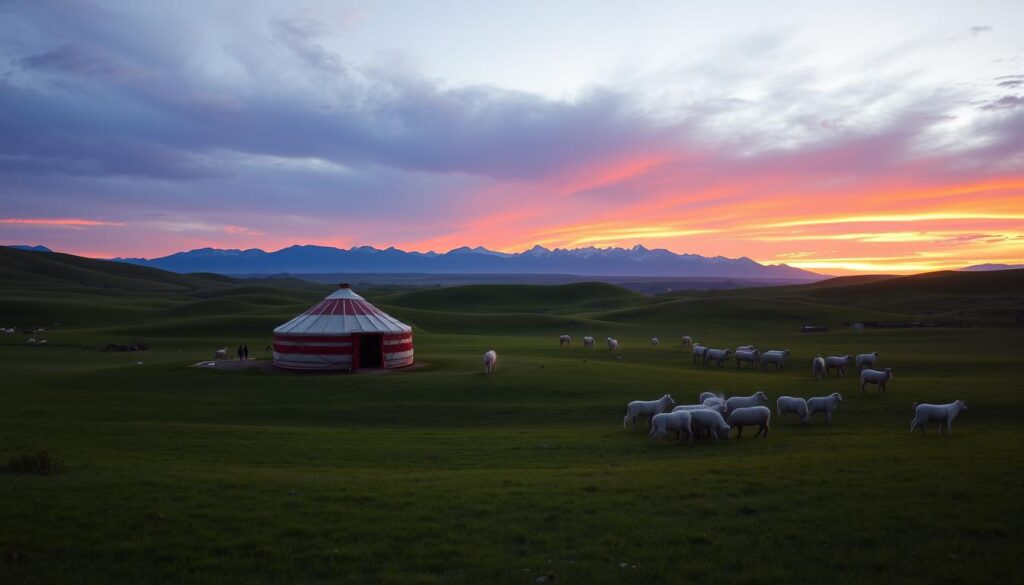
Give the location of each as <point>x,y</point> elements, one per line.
<point>344,332</point>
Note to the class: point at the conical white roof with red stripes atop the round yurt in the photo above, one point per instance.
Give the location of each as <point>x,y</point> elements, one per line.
<point>343,313</point>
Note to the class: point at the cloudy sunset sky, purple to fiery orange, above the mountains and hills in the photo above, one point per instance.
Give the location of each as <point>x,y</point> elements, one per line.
<point>834,137</point>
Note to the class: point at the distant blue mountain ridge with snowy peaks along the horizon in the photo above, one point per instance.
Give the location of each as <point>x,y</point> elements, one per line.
<point>636,262</point>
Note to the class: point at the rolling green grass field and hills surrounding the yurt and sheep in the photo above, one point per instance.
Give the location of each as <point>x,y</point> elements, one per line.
<point>442,475</point>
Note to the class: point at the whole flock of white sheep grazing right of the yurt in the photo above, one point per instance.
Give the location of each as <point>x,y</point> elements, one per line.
<point>714,415</point>
